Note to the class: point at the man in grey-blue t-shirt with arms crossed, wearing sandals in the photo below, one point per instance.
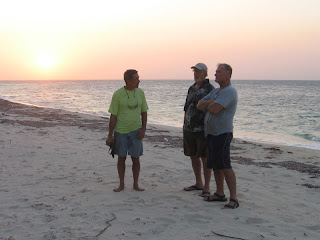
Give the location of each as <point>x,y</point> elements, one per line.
<point>221,105</point>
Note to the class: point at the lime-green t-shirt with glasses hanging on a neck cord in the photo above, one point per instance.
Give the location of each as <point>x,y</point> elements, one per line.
<point>128,106</point>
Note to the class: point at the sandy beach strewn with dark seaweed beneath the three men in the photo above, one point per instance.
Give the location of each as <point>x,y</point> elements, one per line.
<point>57,180</point>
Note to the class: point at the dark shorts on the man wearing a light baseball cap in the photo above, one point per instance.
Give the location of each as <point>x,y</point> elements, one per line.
<point>194,144</point>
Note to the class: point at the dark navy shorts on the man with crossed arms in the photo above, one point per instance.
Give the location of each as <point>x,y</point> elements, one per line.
<point>218,154</point>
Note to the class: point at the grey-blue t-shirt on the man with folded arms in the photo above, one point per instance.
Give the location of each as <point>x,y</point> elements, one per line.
<point>216,124</point>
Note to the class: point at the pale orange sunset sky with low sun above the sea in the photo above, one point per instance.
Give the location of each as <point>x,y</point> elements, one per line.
<point>162,39</point>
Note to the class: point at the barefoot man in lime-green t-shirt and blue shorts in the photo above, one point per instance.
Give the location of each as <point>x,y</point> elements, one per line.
<point>127,126</point>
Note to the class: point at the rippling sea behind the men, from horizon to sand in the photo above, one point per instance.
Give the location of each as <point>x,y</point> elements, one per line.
<point>281,112</point>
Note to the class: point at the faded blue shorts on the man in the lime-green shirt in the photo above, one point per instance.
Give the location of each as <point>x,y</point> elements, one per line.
<point>128,144</point>
